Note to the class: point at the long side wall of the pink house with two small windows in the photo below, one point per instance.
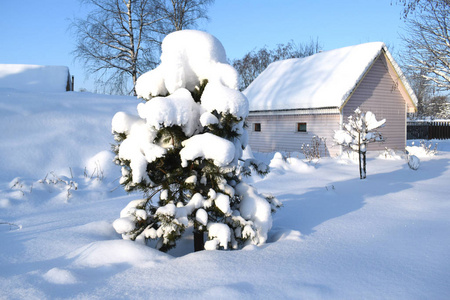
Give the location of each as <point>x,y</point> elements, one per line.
<point>279,132</point>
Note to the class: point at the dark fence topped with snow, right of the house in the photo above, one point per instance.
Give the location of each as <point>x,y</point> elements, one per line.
<point>428,130</point>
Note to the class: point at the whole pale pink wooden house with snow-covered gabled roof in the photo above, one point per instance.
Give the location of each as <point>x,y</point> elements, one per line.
<point>295,99</point>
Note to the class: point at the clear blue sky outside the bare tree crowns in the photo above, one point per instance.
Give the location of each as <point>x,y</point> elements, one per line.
<point>37,32</point>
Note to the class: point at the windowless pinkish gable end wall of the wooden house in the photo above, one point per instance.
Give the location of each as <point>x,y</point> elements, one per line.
<point>379,92</point>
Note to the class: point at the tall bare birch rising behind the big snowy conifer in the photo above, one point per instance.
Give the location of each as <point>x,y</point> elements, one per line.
<point>120,39</point>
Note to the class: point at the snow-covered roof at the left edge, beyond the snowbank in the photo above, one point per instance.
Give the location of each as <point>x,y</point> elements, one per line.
<point>34,78</point>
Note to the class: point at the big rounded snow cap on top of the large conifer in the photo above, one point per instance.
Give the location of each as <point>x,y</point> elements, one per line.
<point>188,57</point>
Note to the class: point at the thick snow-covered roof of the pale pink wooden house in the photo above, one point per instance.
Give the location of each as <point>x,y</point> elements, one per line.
<point>323,80</point>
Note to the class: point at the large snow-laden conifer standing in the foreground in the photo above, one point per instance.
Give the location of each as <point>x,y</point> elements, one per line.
<point>184,151</point>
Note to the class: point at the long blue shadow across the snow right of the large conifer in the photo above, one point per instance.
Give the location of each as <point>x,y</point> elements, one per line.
<point>304,212</point>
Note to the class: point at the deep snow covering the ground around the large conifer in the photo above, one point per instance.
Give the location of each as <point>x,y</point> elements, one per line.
<point>336,236</point>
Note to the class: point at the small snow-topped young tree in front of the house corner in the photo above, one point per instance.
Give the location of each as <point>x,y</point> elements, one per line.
<point>359,131</point>
